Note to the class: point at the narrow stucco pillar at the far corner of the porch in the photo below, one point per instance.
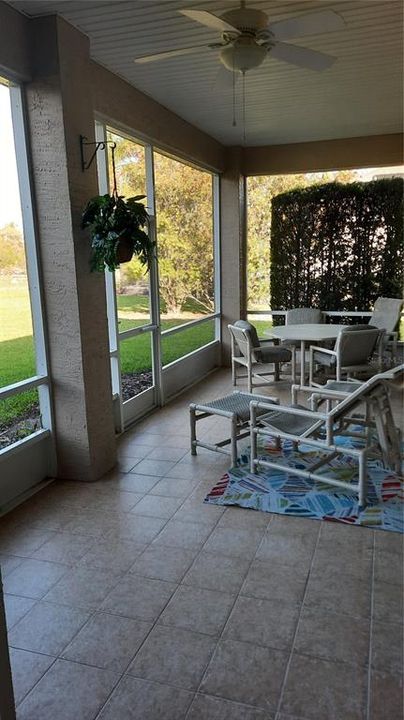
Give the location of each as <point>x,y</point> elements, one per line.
<point>234,244</point>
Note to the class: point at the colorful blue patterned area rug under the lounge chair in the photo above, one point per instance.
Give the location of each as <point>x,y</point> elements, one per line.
<point>286,494</point>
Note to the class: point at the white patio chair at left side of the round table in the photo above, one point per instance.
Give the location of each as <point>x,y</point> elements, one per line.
<point>259,358</point>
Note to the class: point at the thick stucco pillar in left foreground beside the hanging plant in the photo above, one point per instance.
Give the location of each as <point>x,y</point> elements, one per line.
<point>59,110</point>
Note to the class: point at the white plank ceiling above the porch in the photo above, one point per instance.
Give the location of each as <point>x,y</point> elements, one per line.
<point>362,94</point>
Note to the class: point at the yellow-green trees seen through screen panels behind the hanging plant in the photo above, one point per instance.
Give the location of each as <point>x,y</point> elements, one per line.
<point>184,217</point>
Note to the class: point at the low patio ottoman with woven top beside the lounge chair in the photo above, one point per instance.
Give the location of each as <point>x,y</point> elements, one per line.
<point>235,407</point>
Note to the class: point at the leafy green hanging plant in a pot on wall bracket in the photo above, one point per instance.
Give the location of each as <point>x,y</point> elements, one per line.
<point>119,229</point>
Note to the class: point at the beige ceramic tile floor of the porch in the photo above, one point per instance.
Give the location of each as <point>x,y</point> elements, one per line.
<point>129,599</point>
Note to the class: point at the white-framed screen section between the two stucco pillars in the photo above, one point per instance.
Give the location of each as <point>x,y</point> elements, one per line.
<point>159,319</point>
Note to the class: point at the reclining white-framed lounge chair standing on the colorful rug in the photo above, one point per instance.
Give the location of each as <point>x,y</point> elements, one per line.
<point>303,426</point>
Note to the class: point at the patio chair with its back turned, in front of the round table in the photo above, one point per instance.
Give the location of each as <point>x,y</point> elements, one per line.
<point>353,349</point>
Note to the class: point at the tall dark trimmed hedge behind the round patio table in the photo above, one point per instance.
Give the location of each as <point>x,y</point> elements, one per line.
<point>337,247</point>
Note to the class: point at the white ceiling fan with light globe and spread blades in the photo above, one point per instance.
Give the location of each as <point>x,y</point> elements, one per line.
<point>247,38</point>
